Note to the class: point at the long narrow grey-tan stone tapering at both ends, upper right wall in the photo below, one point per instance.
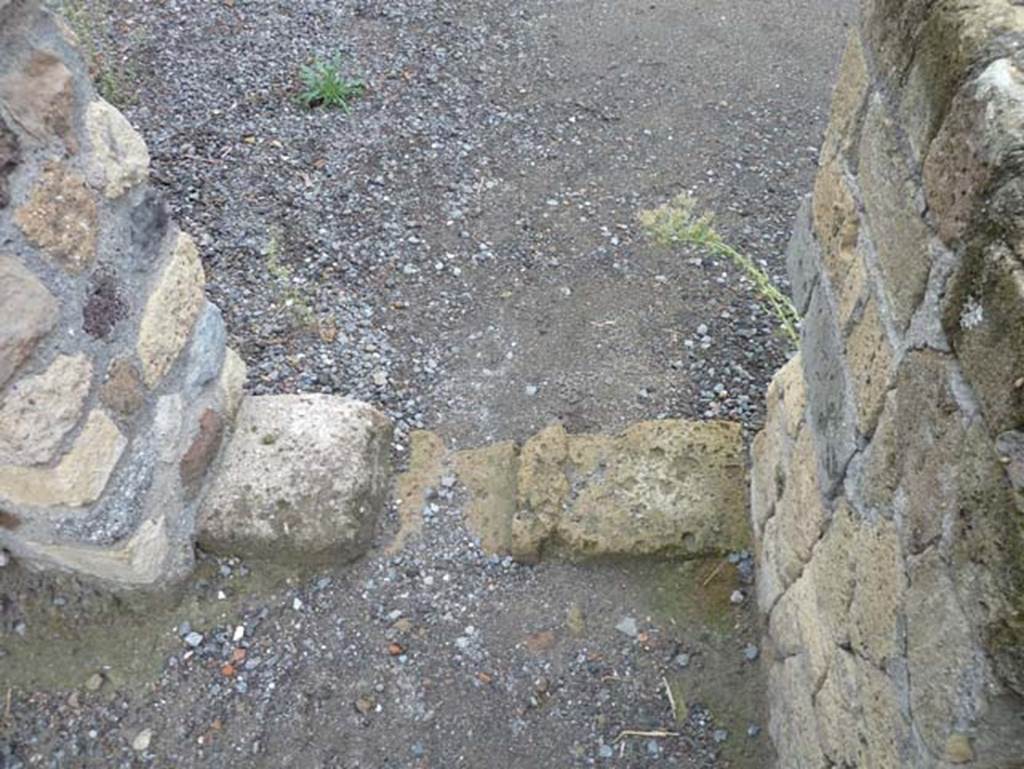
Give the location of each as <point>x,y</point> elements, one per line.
<point>894,213</point>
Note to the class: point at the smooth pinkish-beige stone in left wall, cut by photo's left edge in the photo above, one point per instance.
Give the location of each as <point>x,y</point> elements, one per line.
<point>28,313</point>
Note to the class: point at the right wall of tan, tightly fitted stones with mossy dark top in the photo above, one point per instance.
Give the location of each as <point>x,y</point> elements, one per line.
<point>887,485</point>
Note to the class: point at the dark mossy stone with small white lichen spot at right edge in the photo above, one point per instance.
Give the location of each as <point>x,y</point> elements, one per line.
<point>987,316</point>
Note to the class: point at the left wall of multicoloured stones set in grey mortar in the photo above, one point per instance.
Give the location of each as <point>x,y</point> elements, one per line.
<point>116,387</point>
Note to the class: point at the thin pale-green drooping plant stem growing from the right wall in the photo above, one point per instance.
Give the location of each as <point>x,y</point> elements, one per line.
<point>679,223</point>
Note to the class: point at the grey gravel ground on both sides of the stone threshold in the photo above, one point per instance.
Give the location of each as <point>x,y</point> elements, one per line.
<point>462,251</point>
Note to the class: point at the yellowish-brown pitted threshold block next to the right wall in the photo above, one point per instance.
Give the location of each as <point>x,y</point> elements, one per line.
<point>659,489</point>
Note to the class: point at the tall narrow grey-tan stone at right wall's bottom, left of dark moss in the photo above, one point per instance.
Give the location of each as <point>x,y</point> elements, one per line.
<point>947,668</point>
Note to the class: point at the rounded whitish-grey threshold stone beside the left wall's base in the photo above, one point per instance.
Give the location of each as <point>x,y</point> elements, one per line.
<point>305,478</point>
